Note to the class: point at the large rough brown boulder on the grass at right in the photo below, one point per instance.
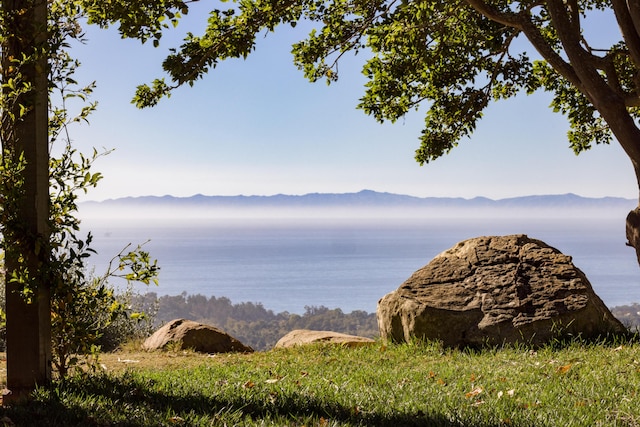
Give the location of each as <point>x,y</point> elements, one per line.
<point>495,290</point>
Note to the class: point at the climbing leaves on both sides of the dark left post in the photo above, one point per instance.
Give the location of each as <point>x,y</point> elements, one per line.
<point>82,307</point>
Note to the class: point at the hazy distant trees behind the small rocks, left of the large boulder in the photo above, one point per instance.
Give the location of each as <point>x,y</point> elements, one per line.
<point>251,323</point>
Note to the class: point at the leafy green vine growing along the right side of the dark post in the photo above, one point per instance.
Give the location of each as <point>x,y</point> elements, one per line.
<point>82,307</point>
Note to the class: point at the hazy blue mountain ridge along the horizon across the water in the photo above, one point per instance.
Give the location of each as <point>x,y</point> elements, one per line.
<point>368,198</point>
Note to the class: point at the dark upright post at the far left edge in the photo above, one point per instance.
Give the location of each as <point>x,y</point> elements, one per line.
<point>26,245</point>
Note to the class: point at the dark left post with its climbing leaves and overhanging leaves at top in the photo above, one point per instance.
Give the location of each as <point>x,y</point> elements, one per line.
<point>42,250</point>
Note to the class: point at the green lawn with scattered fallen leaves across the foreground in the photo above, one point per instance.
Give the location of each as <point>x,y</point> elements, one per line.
<point>577,384</point>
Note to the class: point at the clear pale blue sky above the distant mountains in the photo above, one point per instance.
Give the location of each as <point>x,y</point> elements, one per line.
<point>257,127</point>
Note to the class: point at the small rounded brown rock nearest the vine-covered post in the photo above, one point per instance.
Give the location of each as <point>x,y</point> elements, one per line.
<point>196,336</point>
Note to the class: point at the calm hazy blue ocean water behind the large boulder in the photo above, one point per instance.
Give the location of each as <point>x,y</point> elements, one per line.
<point>287,264</point>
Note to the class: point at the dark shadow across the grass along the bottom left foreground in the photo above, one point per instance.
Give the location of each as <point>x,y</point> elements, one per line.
<point>129,402</point>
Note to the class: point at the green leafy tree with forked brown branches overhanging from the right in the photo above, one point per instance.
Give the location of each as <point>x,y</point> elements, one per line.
<point>454,57</point>
